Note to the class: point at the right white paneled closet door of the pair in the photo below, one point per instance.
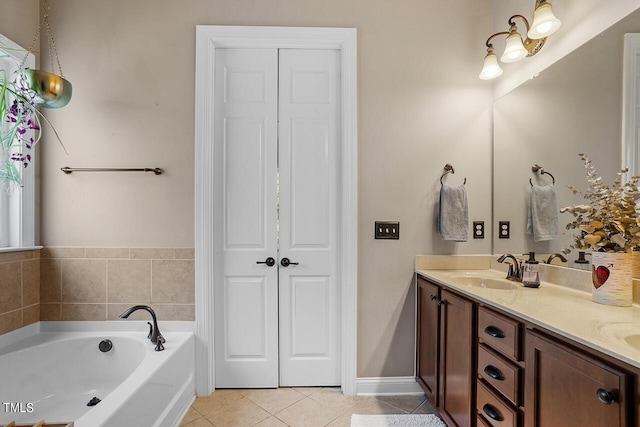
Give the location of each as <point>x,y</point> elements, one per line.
<point>309,132</point>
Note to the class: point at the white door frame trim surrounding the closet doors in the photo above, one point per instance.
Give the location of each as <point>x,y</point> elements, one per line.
<point>208,212</point>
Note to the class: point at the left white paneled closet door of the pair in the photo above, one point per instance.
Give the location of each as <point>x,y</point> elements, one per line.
<point>246,293</point>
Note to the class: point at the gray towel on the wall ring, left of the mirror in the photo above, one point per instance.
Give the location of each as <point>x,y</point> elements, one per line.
<point>453,217</point>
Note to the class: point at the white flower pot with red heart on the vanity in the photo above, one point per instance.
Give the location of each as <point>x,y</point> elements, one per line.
<point>611,277</point>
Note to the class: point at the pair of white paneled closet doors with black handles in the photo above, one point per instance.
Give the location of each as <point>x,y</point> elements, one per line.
<point>277,142</point>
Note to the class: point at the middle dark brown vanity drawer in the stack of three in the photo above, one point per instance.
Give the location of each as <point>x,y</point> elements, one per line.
<point>501,374</point>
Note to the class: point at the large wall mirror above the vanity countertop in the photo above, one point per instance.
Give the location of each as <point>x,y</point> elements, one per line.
<point>574,106</point>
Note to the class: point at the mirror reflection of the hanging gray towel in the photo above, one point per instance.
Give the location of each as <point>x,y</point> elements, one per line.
<point>542,220</point>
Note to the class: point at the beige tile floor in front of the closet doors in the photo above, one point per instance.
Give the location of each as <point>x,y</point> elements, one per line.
<point>294,407</point>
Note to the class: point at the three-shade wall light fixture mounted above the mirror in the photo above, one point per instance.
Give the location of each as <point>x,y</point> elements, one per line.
<point>544,24</point>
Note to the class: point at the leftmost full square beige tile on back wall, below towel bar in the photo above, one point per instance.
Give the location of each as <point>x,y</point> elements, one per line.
<point>84,280</point>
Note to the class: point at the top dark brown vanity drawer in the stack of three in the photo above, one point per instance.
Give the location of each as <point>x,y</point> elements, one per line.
<point>500,332</point>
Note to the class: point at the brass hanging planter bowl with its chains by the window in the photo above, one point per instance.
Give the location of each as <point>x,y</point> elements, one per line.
<point>51,90</point>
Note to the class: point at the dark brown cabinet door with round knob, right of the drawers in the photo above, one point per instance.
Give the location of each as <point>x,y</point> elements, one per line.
<point>563,387</point>
